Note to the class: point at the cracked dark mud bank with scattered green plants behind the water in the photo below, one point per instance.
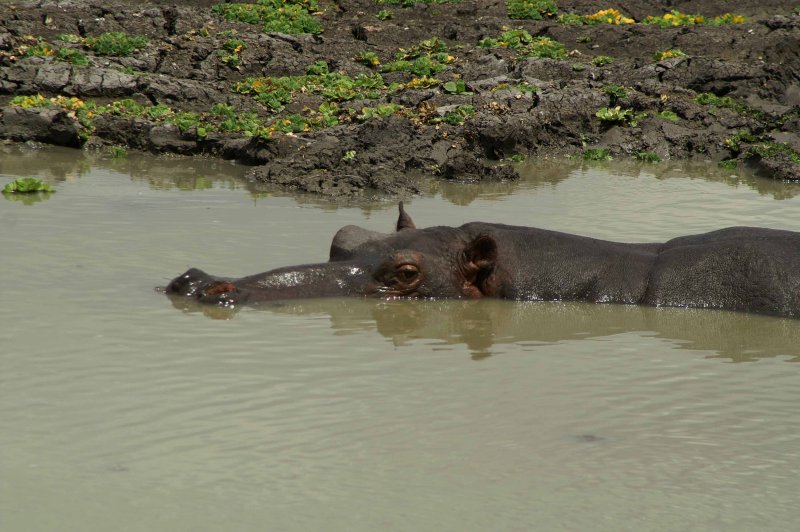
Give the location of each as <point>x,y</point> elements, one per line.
<point>731,95</point>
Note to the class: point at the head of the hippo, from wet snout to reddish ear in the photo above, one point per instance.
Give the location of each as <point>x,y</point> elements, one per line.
<point>436,262</point>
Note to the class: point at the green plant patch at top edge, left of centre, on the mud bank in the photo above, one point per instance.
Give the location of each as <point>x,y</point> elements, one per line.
<point>281,16</point>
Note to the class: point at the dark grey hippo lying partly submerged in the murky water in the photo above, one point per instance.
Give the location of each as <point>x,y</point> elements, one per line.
<point>740,268</point>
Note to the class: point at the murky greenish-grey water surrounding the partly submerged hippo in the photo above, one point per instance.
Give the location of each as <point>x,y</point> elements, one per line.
<point>121,412</point>
